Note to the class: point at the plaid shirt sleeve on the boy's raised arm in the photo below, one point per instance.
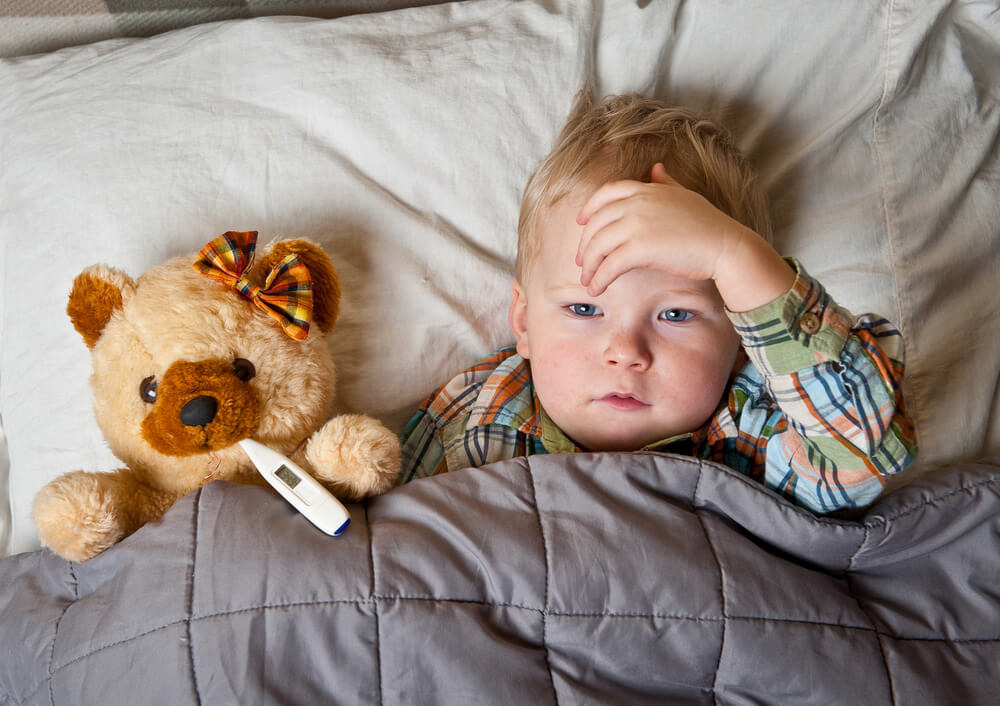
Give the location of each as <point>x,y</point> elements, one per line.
<point>836,425</point>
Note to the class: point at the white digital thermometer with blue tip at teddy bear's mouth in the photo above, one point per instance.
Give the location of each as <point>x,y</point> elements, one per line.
<point>299,488</point>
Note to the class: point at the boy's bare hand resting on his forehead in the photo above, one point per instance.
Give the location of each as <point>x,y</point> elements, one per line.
<point>631,225</point>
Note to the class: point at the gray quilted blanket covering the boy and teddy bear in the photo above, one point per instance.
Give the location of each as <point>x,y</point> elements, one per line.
<point>618,579</point>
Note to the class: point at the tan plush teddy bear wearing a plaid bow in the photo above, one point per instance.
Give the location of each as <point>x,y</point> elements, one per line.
<point>187,361</point>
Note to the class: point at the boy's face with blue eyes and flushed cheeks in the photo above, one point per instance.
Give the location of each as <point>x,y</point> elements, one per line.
<point>648,359</point>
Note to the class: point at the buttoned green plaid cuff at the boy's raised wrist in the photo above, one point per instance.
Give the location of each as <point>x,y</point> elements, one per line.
<point>801,328</point>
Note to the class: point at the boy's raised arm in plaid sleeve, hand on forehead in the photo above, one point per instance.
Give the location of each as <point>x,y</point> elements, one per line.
<point>832,424</point>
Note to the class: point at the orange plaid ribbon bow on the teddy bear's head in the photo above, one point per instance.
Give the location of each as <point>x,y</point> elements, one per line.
<point>287,291</point>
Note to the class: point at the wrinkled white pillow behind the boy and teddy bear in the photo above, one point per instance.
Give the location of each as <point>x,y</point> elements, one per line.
<point>401,142</point>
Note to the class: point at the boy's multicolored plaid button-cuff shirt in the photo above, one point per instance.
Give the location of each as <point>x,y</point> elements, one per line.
<point>817,413</point>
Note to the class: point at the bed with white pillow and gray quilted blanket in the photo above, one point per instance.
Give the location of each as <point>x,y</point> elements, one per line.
<point>399,139</point>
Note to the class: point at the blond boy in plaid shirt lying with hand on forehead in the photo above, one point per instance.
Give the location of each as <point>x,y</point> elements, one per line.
<point>650,311</point>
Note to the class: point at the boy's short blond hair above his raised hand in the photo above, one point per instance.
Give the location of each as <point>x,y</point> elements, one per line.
<point>622,137</point>
